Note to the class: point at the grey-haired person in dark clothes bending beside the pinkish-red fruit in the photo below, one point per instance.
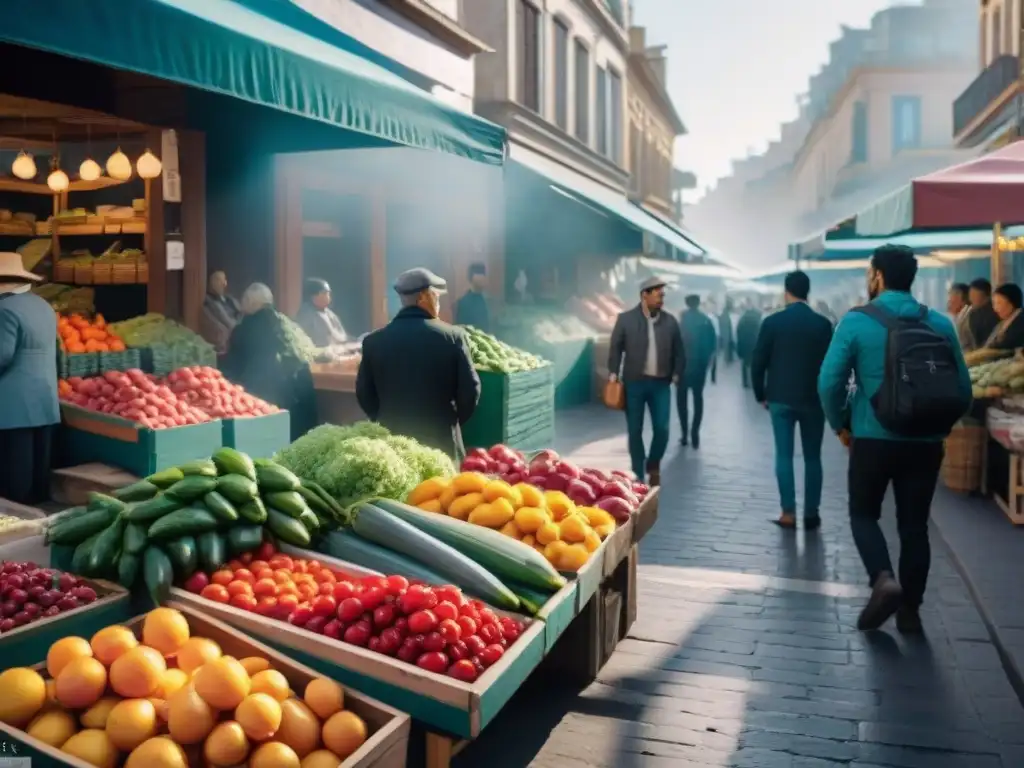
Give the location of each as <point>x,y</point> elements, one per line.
<point>262,359</point>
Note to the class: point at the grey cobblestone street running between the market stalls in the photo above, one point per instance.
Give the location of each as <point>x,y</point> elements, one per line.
<point>745,653</point>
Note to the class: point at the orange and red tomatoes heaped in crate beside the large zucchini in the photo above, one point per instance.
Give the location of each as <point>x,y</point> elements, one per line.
<point>435,627</point>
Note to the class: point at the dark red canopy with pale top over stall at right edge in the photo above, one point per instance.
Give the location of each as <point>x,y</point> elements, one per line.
<point>978,193</point>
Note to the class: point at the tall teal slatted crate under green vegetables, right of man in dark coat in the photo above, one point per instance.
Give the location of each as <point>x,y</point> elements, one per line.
<point>517,410</point>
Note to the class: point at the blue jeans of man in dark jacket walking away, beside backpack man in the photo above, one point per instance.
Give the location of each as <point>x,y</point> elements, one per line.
<point>813,426</point>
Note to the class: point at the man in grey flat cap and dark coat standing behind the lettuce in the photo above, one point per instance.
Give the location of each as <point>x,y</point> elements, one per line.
<point>416,376</point>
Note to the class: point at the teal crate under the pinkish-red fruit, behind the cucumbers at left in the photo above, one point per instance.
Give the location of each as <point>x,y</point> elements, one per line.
<point>99,438</point>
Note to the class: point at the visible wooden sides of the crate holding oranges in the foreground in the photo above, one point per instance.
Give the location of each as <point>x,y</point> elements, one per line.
<point>388,746</point>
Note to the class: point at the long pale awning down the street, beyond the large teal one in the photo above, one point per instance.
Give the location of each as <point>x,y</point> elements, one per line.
<point>592,194</point>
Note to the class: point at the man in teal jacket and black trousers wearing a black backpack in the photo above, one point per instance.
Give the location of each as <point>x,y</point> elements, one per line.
<point>913,387</point>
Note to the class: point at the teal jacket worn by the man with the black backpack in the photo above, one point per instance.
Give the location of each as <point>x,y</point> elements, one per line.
<point>860,346</point>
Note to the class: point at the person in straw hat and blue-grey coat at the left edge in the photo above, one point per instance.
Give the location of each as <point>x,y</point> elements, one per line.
<point>28,385</point>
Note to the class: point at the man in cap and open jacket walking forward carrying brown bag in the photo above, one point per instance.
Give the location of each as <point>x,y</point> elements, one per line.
<point>647,353</point>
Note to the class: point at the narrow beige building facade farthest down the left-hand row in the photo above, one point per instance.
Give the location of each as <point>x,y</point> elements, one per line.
<point>655,125</point>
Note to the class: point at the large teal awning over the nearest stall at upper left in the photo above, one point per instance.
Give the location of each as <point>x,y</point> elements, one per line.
<point>225,48</point>
